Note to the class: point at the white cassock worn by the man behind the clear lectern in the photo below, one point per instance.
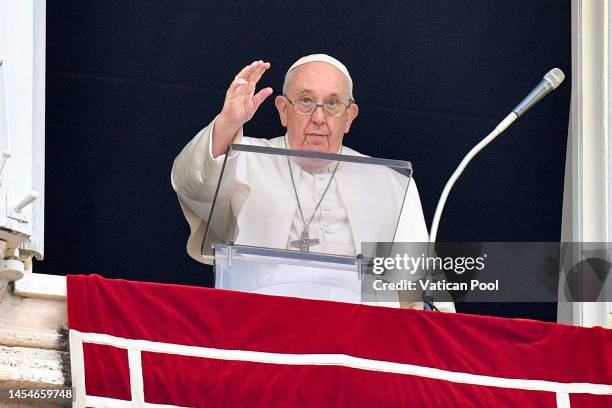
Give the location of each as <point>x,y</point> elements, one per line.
<point>262,206</point>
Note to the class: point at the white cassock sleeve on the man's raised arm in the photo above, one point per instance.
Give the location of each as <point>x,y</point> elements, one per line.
<point>194,177</point>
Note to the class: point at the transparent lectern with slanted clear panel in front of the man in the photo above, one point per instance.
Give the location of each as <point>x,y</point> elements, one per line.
<point>292,223</point>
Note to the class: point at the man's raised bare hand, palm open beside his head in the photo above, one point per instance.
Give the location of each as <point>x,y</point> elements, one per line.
<point>241,103</point>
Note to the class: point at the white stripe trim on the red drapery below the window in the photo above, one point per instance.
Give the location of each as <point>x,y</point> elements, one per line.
<point>135,347</point>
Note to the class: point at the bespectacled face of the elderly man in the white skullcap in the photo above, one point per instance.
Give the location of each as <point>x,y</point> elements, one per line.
<point>317,132</point>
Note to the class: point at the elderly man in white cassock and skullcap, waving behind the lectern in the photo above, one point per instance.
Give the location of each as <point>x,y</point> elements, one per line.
<point>317,108</point>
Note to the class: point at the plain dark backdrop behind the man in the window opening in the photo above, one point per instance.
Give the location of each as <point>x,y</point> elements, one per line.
<point>129,83</point>
